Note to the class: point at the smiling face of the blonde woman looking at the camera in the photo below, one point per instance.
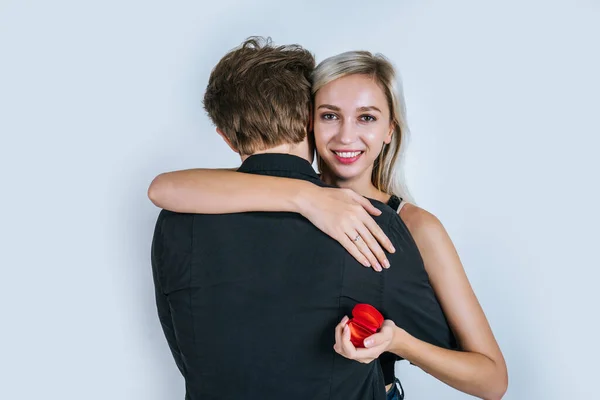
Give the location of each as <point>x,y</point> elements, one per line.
<point>352,122</point>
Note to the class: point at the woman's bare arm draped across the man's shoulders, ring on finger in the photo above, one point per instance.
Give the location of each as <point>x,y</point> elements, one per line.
<point>340,213</point>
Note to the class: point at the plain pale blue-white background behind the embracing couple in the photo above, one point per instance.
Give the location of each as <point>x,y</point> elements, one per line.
<point>98,97</point>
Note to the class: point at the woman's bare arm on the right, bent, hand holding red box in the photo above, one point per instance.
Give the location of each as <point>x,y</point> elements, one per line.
<point>479,369</point>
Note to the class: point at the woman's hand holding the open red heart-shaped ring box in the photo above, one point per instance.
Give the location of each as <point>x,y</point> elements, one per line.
<point>374,345</point>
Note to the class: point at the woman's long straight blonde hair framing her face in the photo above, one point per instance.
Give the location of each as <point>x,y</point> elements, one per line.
<point>388,175</point>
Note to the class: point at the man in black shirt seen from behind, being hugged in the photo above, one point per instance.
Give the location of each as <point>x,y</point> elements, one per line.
<point>249,301</point>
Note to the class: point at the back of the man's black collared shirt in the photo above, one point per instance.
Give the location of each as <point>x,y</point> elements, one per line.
<point>249,301</point>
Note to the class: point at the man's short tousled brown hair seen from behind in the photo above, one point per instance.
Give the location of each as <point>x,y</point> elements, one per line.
<point>259,95</point>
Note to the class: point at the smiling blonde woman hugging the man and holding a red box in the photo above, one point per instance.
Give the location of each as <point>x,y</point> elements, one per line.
<point>359,126</point>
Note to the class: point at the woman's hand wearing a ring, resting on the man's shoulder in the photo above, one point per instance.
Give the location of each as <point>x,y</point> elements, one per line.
<point>344,215</point>
